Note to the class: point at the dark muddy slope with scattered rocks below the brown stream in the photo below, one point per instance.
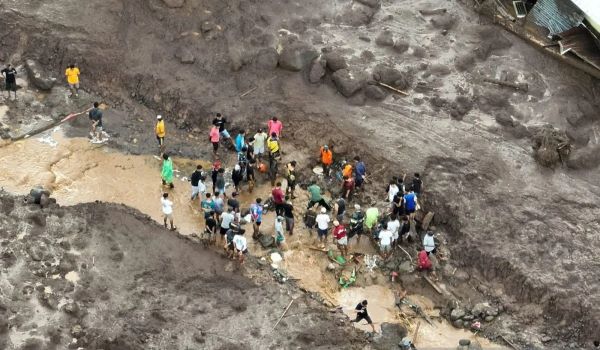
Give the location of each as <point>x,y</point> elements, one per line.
<point>110,278</point>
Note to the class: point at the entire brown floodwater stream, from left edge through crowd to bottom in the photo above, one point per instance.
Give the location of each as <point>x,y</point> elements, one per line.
<point>77,171</point>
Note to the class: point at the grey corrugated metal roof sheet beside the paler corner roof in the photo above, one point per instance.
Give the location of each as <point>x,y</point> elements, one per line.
<point>556,15</point>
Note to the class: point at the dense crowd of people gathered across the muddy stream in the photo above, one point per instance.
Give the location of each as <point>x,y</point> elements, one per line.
<point>224,217</point>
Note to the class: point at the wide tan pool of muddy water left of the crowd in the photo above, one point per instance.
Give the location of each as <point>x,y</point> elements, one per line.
<point>78,172</point>
